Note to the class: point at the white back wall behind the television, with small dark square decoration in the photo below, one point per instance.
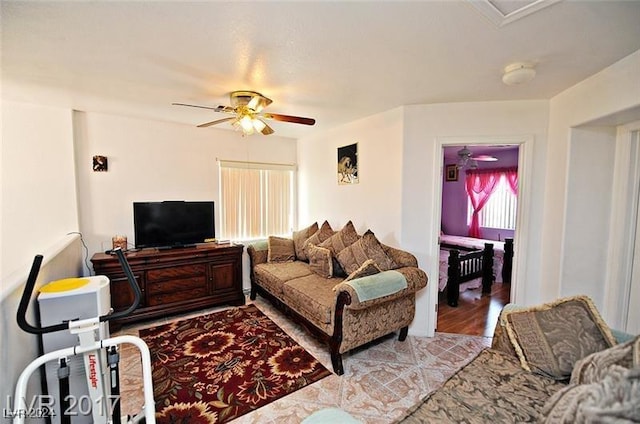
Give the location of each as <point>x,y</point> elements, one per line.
<point>154,161</point>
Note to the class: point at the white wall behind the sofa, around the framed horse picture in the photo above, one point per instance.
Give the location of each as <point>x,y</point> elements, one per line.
<point>375,202</point>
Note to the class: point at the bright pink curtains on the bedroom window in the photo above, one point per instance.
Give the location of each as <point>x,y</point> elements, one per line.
<point>480,185</point>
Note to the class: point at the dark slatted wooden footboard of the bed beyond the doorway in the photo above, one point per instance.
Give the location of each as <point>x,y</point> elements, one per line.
<point>465,270</point>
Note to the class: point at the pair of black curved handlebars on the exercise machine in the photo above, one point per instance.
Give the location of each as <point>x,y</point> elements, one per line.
<point>31,282</point>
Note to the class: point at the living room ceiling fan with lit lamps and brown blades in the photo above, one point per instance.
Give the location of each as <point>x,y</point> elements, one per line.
<point>246,108</point>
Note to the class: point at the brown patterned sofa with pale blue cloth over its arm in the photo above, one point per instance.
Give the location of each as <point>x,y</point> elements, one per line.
<point>346,289</point>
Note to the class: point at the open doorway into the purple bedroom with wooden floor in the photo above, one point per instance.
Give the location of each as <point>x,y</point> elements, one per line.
<point>476,313</point>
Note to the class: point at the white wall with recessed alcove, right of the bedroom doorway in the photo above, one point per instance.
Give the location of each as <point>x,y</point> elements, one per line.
<point>609,94</point>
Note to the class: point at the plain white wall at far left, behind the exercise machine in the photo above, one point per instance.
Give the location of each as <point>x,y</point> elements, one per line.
<point>38,184</point>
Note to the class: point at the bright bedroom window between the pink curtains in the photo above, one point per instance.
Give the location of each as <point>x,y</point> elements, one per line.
<point>500,209</point>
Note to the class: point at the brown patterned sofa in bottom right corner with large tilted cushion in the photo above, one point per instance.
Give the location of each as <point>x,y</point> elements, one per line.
<point>554,363</point>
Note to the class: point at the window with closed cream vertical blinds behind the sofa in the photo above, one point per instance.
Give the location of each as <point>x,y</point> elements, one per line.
<point>256,200</point>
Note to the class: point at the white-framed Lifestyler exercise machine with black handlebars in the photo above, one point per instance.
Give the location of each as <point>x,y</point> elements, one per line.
<point>100,359</point>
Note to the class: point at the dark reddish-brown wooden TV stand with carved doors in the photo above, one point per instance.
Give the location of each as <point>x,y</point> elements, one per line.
<point>174,280</point>
